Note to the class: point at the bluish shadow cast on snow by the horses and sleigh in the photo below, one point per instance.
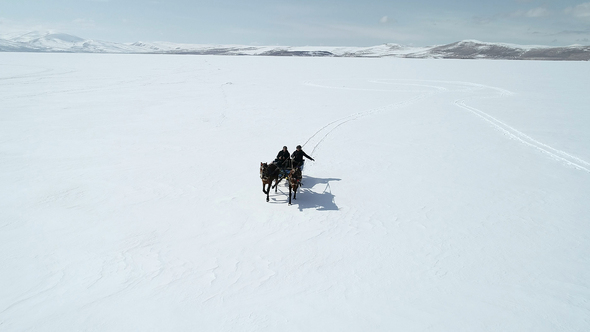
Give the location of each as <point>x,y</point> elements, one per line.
<point>307,198</point>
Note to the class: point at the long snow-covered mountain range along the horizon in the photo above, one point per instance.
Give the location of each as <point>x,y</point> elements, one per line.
<point>468,49</point>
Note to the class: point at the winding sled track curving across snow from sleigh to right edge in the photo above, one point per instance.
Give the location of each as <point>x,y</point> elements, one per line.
<point>435,88</point>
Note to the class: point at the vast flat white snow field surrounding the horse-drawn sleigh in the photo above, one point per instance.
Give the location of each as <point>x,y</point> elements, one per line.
<point>446,195</point>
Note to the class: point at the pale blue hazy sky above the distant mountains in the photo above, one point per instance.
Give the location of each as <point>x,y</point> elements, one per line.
<point>306,22</point>
